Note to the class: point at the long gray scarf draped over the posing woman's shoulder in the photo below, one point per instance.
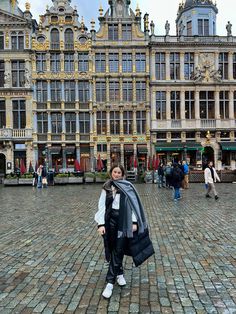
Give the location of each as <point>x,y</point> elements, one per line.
<point>130,203</point>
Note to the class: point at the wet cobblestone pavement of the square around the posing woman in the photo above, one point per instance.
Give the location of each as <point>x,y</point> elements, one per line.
<point>52,260</point>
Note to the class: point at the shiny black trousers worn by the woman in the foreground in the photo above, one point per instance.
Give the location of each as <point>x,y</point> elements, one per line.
<point>117,253</point>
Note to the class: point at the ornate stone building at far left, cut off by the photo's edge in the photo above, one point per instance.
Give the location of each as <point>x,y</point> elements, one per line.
<point>16,29</point>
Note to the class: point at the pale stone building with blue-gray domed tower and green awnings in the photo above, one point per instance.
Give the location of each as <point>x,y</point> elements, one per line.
<point>193,89</point>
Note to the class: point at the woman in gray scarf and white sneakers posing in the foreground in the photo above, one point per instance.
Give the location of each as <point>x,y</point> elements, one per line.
<point>121,222</point>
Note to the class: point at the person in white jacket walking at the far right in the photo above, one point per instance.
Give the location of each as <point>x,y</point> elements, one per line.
<point>211,177</point>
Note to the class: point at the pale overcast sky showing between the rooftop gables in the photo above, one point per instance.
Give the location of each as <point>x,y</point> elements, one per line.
<point>159,11</point>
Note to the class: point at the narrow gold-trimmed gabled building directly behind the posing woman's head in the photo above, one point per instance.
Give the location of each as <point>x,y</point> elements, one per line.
<point>121,106</point>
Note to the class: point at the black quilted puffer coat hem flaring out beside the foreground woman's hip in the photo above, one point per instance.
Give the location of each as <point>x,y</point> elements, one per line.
<point>140,247</point>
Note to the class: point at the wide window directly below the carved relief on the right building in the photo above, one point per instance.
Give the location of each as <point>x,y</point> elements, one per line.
<point>207,105</point>
